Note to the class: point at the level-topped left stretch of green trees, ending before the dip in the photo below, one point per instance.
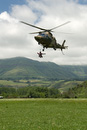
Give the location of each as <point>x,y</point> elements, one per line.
<point>29,92</point>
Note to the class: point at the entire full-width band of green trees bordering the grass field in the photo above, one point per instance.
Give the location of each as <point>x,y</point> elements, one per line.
<point>80,91</point>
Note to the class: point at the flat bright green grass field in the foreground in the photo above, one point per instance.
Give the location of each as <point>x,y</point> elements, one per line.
<point>43,114</point>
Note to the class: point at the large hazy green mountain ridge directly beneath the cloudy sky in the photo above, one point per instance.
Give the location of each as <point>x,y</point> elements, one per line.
<point>24,68</point>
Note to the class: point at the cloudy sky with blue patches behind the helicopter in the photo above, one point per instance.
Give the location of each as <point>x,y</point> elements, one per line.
<point>15,40</point>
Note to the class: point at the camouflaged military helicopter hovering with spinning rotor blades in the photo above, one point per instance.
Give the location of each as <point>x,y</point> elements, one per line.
<point>45,37</point>
